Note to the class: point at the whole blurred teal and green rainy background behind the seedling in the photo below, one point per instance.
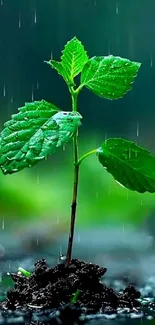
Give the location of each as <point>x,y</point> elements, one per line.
<point>35,204</point>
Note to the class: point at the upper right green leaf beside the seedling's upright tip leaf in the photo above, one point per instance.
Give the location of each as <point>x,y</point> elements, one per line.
<point>110,76</point>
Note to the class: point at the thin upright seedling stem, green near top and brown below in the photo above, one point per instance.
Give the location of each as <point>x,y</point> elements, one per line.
<point>74,95</point>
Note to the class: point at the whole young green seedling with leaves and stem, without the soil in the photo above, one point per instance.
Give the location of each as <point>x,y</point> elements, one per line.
<point>40,128</point>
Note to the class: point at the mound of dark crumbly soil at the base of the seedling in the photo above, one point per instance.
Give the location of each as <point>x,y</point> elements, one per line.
<point>52,288</point>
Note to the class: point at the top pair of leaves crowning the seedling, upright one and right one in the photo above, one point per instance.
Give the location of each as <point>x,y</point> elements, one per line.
<point>106,76</point>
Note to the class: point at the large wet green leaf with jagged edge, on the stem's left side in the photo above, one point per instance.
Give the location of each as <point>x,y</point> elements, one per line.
<point>33,134</point>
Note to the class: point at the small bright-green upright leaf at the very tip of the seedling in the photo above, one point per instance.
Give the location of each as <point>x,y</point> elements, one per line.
<point>73,59</point>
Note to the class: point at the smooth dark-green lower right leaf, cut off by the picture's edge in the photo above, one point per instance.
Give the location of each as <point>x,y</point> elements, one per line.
<point>129,164</point>
